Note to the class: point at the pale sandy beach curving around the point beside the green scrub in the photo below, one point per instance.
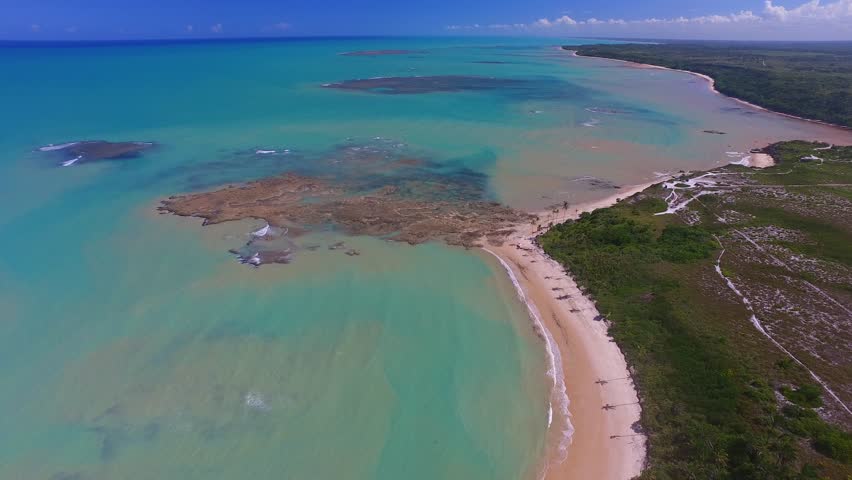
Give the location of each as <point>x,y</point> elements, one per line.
<point>584,439</point>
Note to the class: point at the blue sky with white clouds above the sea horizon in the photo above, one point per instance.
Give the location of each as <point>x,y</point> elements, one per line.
<point>153,19</point>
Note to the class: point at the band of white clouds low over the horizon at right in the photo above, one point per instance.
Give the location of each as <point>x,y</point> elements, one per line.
<point>810,20</point>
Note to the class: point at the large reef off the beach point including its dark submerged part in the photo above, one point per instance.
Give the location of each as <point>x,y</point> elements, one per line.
<point>378,187</point>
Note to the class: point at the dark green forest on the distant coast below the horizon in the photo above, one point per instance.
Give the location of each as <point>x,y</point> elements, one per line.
<point>811,80</point>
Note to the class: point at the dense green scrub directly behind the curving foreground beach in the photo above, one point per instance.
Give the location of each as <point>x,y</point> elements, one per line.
<point>709,382</point>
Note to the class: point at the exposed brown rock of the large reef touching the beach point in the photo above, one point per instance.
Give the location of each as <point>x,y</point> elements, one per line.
<point>292,199</point>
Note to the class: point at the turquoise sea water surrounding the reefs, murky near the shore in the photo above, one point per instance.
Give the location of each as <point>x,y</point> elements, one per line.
<point>132,345</point>
